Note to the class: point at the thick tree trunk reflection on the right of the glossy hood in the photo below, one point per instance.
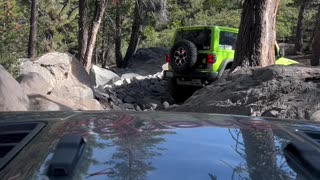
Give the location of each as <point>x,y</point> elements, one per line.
<point>262,153</point>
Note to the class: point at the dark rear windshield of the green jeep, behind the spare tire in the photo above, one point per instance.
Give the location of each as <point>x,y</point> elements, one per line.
<point>201,38</point>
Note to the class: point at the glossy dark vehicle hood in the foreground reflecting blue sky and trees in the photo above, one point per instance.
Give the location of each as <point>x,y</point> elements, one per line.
<point>157,145</point>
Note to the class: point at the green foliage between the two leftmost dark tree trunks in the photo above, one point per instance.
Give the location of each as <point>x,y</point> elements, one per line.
<point>58,26</point>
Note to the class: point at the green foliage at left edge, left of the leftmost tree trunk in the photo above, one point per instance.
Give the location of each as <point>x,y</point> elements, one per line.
<point>13,33</point>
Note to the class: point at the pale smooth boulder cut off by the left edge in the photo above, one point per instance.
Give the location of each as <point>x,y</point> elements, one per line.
<point>12,96</point>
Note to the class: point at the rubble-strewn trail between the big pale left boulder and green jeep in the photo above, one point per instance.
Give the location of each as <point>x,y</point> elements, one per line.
<point>140,87</point>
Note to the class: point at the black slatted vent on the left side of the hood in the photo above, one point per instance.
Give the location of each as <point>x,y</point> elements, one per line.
<point>14,136</point>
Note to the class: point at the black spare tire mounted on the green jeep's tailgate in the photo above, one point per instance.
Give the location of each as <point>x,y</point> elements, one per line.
<point>183,56</point>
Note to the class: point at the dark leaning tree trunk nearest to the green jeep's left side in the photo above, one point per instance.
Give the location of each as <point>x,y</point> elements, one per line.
<point>135,35</point>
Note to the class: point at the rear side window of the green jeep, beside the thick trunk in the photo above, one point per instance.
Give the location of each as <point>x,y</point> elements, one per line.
<point>228,40</point>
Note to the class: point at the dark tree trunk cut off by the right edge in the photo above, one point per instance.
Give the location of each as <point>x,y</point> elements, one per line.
<point>316,43</point>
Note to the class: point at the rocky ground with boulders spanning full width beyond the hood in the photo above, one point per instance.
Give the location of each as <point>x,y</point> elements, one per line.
<point>57,81</point>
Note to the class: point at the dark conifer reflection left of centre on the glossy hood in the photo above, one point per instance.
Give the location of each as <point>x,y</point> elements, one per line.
<point>132,159</point>
